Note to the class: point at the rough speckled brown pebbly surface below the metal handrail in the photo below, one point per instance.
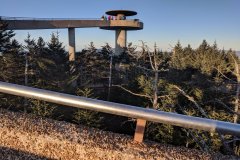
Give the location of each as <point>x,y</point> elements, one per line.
<point>27,137</point>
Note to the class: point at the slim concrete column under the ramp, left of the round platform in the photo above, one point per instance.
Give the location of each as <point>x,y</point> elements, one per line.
<point>71,42</point>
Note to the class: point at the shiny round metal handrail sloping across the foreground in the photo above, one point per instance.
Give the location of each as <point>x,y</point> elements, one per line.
<point>122,110</point>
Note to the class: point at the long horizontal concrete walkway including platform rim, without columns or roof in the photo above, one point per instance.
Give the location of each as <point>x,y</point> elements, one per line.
<point>32,24</point>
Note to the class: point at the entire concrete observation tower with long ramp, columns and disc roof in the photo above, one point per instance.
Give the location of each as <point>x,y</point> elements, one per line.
<point>119,23</point>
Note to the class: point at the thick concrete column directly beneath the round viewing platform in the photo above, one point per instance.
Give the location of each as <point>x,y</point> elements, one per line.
<point>120,41</point>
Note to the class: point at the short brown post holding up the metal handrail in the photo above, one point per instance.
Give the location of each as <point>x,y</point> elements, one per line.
<point>140,128</point>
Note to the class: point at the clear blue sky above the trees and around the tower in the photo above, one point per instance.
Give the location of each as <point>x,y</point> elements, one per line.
<point>165,21</point>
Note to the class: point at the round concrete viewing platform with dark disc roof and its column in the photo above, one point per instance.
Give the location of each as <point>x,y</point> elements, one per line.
<point>120,24</point>
